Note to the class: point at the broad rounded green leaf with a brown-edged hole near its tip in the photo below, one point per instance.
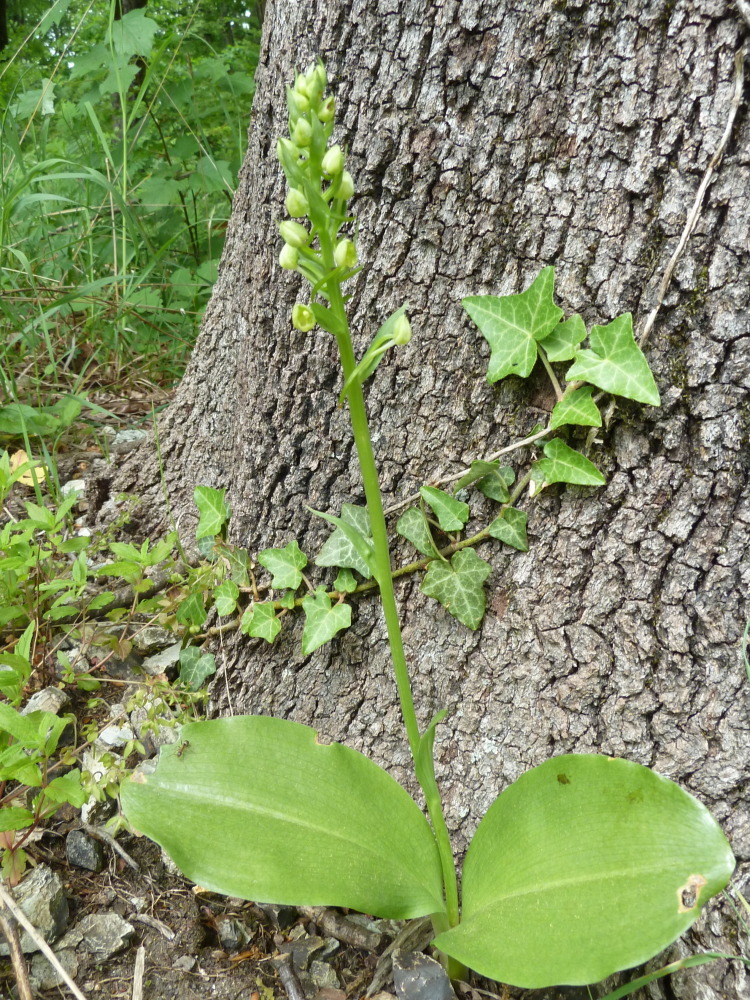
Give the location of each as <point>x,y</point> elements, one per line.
<point>584,866</point>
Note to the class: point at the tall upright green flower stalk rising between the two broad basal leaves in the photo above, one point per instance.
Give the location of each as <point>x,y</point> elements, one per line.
<point>383,575</point>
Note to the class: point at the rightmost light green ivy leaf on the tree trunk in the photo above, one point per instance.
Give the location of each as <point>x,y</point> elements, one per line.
<point>616,363</point>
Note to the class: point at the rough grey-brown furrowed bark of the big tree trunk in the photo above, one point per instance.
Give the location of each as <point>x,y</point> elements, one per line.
<point>487,140</point>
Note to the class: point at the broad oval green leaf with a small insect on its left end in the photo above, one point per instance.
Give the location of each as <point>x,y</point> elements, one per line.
<point>255,807</point>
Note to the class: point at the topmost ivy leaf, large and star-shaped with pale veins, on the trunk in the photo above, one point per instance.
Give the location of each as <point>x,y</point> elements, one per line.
<point>513,324</point>
